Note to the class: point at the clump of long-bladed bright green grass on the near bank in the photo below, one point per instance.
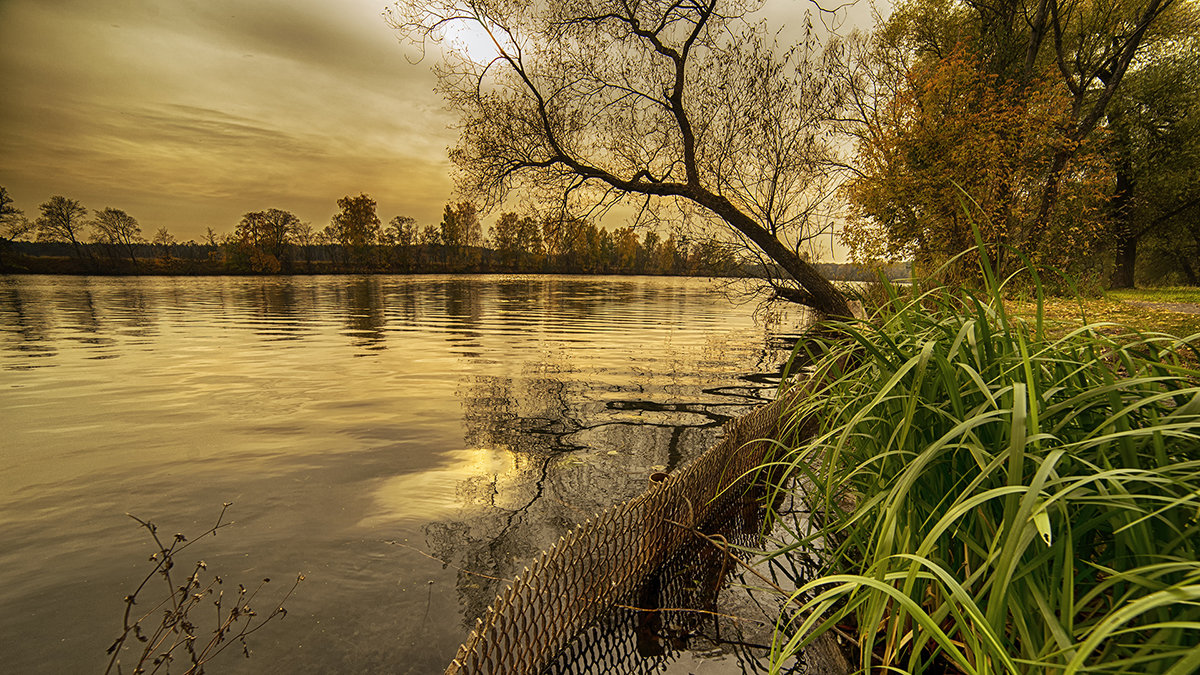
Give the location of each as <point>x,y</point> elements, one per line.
<point>993,497</point>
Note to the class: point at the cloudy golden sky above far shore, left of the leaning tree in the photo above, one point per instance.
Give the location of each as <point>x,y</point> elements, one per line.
<point>190,114</point>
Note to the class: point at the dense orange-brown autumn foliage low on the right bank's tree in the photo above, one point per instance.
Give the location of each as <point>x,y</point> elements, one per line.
<point>955,134</point>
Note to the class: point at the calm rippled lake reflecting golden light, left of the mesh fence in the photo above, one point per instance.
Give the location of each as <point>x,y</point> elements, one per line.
<point>403,441</point>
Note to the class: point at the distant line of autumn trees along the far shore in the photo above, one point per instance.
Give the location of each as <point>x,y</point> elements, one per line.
<point>277,242</point>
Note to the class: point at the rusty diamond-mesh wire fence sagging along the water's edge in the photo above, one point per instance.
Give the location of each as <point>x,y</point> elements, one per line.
<point>596,565</point>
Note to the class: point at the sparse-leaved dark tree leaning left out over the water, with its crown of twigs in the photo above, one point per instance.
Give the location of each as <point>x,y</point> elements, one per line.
<point>659,104</point>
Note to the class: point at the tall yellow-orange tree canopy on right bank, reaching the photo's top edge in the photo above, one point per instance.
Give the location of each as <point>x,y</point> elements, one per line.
<point>1009,104</point>
